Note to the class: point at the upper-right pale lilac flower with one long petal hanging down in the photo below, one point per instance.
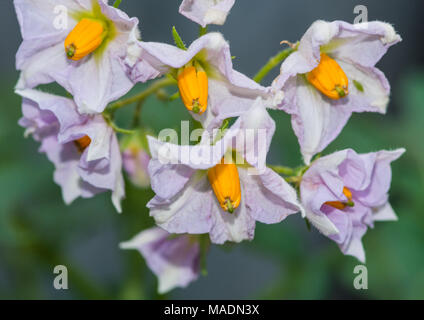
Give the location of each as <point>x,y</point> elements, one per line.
<point>332,74</point>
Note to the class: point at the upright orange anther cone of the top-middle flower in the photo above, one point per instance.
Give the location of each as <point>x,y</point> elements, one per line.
<point>193,85</point>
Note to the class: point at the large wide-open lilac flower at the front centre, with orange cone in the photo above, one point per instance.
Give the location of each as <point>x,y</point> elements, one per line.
<point>221,189</point>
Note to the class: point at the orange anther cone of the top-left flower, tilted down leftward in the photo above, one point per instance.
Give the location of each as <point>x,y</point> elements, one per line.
<point>85,38</point>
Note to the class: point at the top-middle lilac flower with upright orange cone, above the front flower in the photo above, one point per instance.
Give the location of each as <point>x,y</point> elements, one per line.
<point>209,87</point>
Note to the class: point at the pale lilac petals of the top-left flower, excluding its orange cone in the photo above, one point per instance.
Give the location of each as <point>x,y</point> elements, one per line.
<point>42,58</point>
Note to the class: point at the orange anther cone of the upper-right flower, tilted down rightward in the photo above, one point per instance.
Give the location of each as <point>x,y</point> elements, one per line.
<point>329,78</point>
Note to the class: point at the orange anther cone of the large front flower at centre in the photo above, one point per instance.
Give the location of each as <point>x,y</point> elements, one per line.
<point>225,182</point>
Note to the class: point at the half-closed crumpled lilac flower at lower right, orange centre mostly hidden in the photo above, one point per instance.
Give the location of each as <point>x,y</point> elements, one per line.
<point>345,192</point>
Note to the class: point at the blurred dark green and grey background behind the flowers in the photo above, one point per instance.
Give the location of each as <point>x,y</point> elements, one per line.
<point>285,261</point>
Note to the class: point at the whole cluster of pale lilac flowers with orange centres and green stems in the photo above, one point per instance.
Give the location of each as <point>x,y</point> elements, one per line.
<point>215,190</point>
